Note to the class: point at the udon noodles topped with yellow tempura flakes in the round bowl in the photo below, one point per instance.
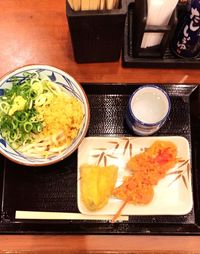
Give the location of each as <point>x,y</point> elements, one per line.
<point>60,116</point>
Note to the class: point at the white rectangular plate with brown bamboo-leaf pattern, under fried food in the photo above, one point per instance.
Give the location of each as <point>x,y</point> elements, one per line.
<point>172,195</point>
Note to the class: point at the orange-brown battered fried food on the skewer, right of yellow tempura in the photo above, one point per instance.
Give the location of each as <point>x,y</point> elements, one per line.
<point>147,168</point>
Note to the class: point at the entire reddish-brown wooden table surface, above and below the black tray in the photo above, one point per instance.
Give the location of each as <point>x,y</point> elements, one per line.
<point>36,32</point>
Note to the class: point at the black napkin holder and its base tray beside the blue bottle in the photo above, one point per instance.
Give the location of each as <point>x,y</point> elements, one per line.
<point>155,57</point>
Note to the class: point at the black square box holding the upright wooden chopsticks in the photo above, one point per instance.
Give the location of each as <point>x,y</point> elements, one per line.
<point>97,36</point>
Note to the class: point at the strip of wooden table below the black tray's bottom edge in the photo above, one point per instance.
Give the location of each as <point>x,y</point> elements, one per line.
<point>100,244</point>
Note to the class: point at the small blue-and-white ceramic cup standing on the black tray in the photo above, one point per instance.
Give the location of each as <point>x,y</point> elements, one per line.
<point>148,109</point>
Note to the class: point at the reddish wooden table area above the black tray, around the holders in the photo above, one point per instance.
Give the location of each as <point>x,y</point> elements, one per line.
<point>36,32</point>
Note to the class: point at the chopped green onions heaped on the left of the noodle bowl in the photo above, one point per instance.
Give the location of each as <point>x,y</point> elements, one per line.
<point>19,118</point>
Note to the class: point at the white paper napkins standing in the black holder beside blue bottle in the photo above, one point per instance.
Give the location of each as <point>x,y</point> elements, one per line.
<point>159,14</point>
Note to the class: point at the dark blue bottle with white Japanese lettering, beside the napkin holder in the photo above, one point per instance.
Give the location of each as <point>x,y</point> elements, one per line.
<point>186,42</point>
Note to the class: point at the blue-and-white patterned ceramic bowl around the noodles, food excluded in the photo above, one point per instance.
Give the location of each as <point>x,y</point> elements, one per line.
<point>63,79</point>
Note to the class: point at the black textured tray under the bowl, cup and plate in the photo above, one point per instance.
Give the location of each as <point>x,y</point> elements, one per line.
<point>54,188</point>
